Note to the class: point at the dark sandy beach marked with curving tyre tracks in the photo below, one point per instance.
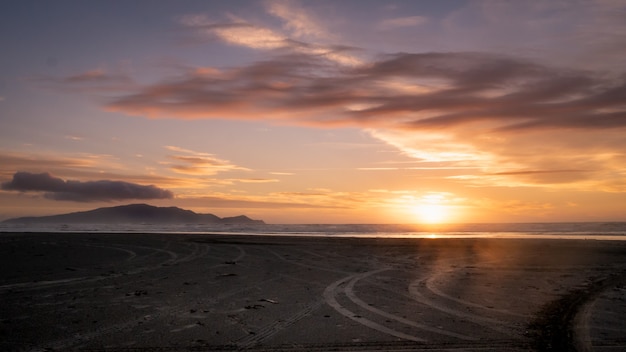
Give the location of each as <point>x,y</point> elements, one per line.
<point>147,292</point>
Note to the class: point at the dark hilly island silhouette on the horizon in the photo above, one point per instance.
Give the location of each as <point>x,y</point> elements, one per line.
<point>136,213</point>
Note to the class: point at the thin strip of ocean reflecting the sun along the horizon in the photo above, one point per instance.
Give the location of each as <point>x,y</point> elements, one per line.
<point>561,230</point>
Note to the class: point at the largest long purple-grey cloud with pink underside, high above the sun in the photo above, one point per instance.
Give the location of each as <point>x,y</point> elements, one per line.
<point>402,91</point>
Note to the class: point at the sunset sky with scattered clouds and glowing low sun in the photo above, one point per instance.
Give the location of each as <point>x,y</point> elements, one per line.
<point>316,111</point>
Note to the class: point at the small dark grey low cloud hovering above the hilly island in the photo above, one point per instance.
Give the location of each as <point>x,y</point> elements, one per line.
<point>104,190</point>
